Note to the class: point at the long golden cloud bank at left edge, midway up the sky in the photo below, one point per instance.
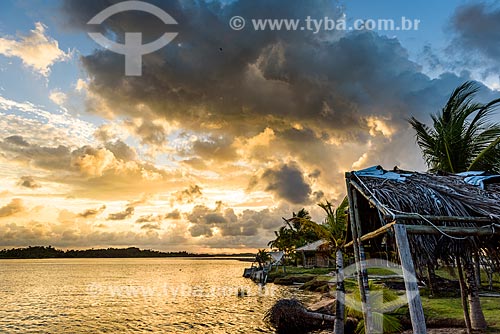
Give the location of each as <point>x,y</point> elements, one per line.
<point>109,171</point>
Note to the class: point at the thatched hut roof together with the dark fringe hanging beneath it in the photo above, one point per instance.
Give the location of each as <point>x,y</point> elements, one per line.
<point>399,192</point>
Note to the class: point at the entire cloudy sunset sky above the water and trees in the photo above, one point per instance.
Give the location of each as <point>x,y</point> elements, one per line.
<point>225,131</point>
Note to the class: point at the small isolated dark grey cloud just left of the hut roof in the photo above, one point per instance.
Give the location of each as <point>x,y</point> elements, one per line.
<point>287,182</point>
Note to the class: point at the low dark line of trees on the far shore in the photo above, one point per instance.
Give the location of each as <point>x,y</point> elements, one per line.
<point>41,252</point>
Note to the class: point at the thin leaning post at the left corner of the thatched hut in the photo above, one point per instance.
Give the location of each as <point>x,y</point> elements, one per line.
<point>359,256</point>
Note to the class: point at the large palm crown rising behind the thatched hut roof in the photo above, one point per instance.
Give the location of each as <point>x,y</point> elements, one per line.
<point>462,138</point>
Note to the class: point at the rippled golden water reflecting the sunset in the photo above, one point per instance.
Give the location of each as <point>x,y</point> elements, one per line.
<point>133,296</point>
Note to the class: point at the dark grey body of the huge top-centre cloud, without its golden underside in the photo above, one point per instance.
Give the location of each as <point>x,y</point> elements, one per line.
<point>260,77</point>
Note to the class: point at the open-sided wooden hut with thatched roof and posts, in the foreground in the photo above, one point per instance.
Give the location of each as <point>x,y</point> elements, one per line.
<point>425,217</point>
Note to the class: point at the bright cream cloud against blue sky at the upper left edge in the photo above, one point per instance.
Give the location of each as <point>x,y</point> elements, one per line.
<point>36,50</point>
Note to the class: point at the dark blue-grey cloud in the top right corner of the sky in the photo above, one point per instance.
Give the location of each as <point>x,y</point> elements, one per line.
<point>477,29</point>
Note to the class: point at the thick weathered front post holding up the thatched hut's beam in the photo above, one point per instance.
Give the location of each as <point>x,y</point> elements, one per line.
<point>414,301</point>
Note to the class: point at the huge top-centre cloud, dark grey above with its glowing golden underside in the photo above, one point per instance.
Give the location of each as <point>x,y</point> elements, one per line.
<point>259,97</point>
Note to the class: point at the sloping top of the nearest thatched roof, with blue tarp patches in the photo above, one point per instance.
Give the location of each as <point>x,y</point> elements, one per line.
<point>430,194</point>
